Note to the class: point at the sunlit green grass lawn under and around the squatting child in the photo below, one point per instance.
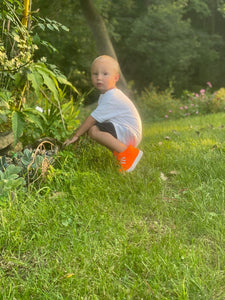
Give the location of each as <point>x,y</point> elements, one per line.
<point>91,232</point>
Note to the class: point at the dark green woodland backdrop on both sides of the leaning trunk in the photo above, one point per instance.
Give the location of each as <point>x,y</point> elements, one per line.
<point>156,41</point>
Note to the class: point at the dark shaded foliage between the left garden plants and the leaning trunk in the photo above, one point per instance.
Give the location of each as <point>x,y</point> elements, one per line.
<point>76,47</point>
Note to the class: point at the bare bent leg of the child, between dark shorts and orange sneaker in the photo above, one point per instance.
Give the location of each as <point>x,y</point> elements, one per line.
<point>106,139</point>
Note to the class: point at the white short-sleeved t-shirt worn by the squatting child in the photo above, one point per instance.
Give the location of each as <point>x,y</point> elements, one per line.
<point>115,107</point>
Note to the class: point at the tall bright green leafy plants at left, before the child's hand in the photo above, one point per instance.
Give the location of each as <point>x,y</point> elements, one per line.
<point>26,82</point>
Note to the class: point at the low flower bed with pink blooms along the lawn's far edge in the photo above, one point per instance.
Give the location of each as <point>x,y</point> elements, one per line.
<point>156,105</point>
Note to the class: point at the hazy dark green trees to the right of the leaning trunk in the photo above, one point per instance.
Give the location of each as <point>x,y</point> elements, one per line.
<point>163,40</point>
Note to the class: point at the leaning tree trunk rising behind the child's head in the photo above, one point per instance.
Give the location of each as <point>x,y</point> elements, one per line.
<point>101,36</point>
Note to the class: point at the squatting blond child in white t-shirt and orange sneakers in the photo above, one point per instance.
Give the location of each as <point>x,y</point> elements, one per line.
<point>115,123</point>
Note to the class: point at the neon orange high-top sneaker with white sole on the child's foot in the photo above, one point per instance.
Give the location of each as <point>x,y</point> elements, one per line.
<point>129,158</point>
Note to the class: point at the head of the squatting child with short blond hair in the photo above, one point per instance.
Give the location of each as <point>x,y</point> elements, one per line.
<point>104,75</point>
